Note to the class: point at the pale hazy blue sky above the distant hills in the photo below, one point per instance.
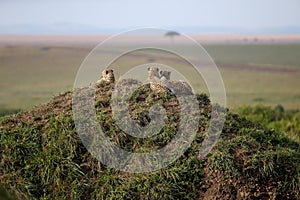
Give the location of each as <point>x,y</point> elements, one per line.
<point>125,14</point>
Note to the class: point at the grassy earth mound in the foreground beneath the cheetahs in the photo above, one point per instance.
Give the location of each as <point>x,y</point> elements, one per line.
<point>42,156</point>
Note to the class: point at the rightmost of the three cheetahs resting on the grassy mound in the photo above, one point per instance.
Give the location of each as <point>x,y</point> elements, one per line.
<point>177,87</point>
